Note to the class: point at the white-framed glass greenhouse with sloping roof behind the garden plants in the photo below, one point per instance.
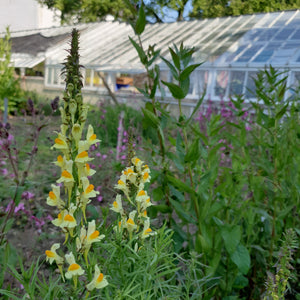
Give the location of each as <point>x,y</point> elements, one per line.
<point>231,49</point>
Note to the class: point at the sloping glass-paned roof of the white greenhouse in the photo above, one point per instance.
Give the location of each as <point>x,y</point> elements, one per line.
<point>244,41</point>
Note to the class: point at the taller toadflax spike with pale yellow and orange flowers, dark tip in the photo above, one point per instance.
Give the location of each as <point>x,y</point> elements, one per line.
<point>71,201</point>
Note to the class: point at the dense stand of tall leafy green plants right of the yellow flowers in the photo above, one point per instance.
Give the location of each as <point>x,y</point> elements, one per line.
<point>233,204</point>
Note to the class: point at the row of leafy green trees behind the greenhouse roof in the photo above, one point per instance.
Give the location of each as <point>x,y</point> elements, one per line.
<point>156,10</point>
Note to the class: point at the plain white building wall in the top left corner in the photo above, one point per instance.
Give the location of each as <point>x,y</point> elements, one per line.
<point>25,14</point>
